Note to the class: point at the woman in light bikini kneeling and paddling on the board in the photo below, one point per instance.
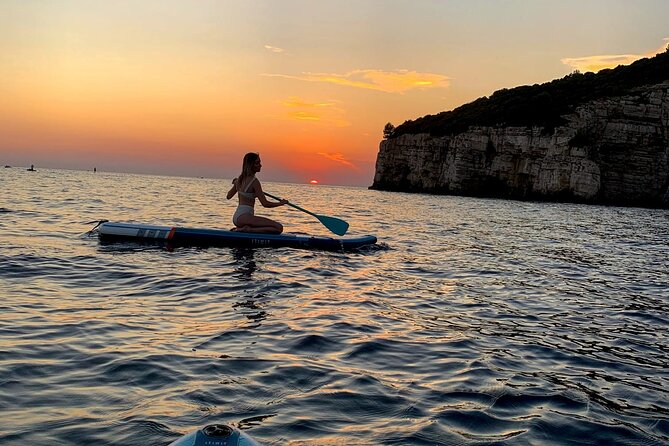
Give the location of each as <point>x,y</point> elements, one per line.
<point>248,187</point>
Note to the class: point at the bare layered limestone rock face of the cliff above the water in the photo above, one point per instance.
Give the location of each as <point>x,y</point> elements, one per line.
<point>613,151</point>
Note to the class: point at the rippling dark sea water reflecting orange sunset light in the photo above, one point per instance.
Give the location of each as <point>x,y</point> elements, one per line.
<point>473,322</point>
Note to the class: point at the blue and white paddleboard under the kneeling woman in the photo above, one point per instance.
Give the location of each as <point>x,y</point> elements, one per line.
<point>179,236</point>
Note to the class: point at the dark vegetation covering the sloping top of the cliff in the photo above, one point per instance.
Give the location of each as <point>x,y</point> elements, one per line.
<point>541,105</point>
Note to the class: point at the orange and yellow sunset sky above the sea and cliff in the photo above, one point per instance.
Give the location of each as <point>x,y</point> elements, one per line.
<point>186,88</point>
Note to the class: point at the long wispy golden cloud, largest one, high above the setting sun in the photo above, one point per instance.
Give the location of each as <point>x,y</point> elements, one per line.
<point>397,81</point>
